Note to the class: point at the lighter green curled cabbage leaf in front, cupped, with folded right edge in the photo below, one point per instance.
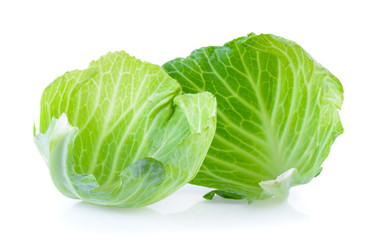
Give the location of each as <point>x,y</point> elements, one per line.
<point>120,133</point>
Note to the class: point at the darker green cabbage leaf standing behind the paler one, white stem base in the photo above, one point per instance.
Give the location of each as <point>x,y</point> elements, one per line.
<point>277,114</point>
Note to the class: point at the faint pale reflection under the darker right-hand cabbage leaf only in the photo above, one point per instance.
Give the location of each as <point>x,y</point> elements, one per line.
<point>222,214</point>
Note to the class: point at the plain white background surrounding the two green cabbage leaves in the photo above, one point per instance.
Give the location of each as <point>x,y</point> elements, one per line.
<point>40,40</point>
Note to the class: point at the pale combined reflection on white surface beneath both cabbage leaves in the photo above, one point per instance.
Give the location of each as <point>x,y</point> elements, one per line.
<point>174,214</point>
